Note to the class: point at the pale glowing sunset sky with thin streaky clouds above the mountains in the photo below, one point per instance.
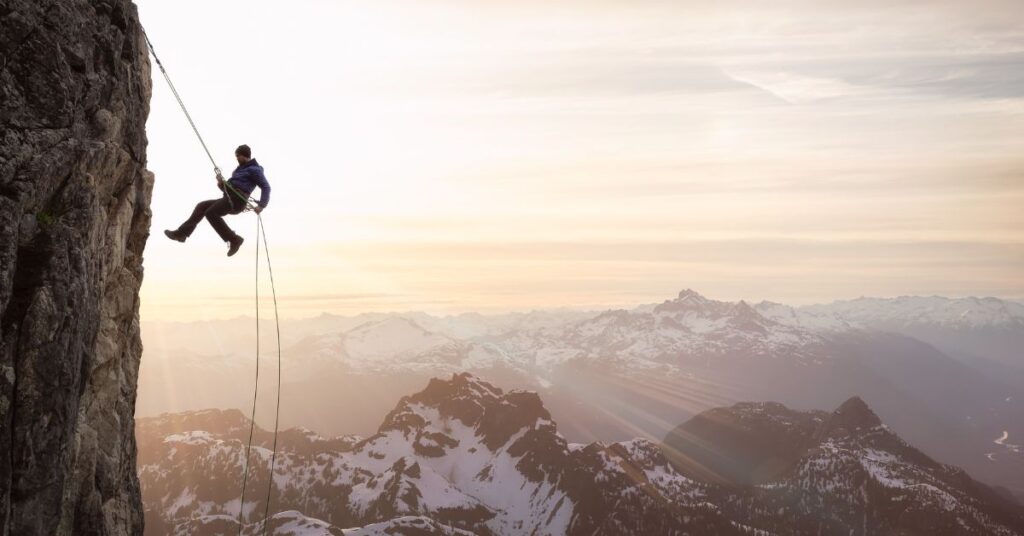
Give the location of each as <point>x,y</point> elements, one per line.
<point>454,156</point>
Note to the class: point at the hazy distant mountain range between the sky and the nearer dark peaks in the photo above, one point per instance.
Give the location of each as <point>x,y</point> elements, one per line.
<point>617,375</point>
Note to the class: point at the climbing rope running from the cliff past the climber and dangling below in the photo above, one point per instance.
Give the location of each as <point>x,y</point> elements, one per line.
<point>261,233</point>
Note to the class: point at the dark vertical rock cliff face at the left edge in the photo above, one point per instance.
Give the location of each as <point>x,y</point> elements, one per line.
<point>74,220</point>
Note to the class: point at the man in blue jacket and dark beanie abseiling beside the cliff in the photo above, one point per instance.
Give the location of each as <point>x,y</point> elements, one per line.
<point>245,179</point>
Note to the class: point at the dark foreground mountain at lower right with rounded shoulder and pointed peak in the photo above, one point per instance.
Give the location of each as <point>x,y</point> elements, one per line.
<point>845,470</point>
